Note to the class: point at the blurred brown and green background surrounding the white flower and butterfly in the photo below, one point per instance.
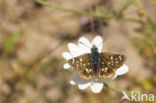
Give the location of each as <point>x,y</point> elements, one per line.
<point>33,37</point>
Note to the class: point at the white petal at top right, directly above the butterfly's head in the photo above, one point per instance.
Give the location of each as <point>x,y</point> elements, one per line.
<point>98,42</point>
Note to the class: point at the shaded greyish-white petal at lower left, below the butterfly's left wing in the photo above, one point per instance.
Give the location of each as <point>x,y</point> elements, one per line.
<point>77,80</point>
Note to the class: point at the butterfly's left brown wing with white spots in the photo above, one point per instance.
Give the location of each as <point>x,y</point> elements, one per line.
<point>82,65</point>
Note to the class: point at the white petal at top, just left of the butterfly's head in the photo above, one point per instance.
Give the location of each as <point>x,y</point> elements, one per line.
<point>84,45</point>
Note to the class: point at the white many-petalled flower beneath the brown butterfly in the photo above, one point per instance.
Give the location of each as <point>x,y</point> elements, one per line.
<point>84,47</point>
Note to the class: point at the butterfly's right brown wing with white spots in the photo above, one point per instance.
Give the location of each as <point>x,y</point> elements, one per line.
<point>109,63</point>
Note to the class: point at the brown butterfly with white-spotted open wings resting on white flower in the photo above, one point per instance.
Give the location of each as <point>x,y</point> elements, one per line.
<point>97,65</point>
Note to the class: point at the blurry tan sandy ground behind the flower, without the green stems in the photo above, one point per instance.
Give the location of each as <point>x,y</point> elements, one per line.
<point>44,28</point>
